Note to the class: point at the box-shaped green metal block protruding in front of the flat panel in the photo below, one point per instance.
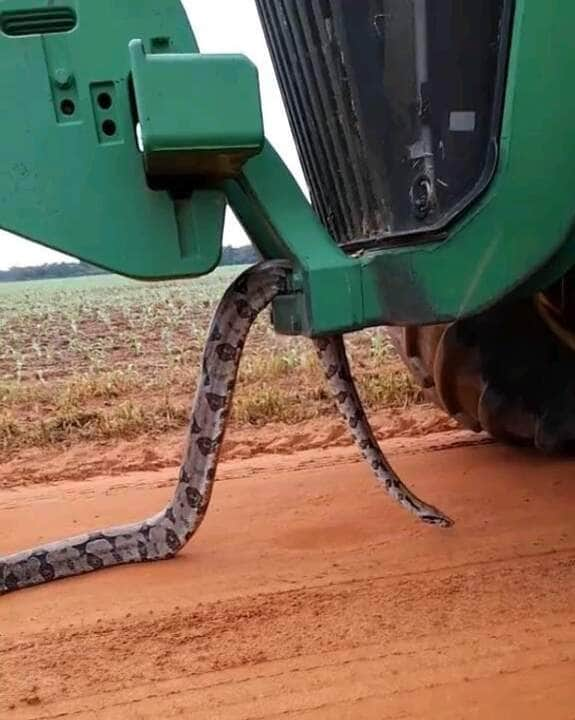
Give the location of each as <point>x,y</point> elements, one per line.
<point>177,139</point>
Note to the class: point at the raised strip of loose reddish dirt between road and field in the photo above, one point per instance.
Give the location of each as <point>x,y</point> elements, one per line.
<point>41,466</point>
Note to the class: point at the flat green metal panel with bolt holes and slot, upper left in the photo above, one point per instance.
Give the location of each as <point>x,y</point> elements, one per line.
<point>71,174</point>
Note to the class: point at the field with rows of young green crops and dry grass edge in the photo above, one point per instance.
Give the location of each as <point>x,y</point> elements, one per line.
<point>105,357</point>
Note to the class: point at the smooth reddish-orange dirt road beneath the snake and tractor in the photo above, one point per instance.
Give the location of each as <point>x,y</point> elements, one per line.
<point>307,594</point>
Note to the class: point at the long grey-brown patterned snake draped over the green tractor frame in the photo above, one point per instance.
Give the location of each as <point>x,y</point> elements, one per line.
<point>164,535</point>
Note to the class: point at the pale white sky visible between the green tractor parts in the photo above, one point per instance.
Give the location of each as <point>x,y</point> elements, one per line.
<point>220,26</point>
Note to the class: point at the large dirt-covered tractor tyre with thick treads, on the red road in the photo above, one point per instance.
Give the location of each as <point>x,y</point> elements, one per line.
<point>509,372</point>
